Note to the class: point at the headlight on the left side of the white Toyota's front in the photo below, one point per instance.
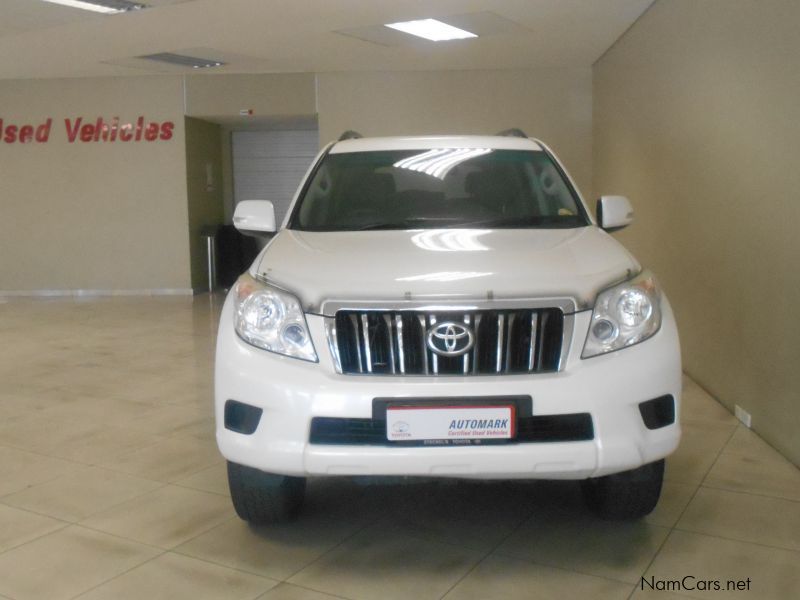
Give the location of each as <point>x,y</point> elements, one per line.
<point>271,319</point>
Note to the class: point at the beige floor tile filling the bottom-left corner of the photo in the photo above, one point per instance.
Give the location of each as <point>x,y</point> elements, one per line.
<point>65,563</point>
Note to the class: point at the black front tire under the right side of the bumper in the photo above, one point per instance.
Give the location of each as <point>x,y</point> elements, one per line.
<point>627,495</point>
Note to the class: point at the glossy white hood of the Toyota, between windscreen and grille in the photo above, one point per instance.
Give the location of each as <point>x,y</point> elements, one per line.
<point>444,264</point>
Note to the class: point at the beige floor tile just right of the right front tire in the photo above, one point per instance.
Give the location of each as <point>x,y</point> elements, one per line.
<point>699,446</point>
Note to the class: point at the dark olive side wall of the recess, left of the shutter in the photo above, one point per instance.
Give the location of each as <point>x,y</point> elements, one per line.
<point>204,192</point>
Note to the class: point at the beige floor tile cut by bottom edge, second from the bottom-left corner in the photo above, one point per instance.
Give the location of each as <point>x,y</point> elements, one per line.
<point>171,576</point>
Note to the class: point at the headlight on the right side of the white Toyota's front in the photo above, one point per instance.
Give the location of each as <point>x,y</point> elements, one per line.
<point>624,315</point>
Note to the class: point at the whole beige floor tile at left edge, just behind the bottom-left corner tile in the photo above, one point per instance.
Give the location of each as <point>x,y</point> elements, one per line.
<point>82,493</point>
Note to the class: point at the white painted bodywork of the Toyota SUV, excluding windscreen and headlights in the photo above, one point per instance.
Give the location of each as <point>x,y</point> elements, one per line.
<point>441,270</point>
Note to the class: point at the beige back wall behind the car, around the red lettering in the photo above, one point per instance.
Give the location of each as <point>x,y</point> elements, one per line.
<point>117,216</point>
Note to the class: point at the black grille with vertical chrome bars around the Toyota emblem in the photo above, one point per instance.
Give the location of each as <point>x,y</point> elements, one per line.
<point>387,342</point>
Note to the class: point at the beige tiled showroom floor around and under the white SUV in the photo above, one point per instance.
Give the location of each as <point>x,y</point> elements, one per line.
<point>111,488</point>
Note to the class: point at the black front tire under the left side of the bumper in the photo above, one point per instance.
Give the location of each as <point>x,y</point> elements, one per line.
<point>261,498</point>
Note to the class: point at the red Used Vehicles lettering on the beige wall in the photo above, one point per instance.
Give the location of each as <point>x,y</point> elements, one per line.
<point>81,130</point>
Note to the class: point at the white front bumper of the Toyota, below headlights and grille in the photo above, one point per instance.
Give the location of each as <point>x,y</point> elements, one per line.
<point>291,392</point>
